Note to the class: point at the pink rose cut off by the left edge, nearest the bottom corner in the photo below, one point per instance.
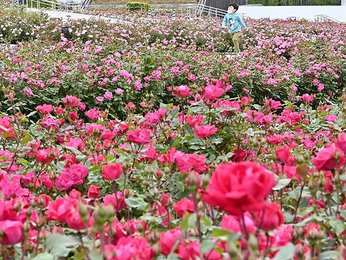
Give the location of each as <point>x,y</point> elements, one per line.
<point>12,232</point>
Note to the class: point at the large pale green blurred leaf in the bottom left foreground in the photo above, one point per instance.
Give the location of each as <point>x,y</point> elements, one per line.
<point>60,245</point>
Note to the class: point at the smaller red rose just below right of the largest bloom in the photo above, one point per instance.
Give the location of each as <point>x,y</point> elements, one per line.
<point>269,217</point>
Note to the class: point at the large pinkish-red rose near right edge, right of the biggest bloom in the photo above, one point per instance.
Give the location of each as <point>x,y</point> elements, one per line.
<point>328,158</point>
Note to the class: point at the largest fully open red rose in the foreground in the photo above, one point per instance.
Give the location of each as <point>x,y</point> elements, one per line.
<point>239,187</point>
